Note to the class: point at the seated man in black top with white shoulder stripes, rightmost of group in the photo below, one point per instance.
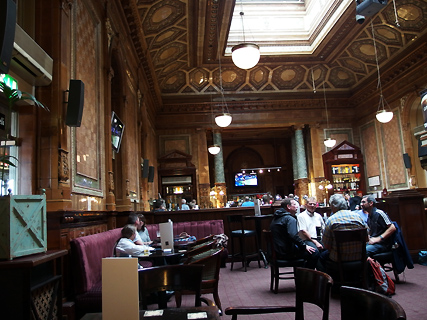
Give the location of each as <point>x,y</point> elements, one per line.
<point>380,227</point>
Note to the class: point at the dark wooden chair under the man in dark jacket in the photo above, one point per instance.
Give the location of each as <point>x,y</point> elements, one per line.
<point>276,264</point>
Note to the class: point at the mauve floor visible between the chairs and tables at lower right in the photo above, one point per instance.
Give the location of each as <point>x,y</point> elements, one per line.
<point>251,288</point>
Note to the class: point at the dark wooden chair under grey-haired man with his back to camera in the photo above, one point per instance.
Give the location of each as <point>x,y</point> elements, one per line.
<point>351,272</point>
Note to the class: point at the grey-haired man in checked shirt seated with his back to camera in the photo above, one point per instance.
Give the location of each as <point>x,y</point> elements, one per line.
<point>341,219</point>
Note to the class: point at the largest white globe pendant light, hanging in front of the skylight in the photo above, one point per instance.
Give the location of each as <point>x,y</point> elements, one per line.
<point>245,55</point>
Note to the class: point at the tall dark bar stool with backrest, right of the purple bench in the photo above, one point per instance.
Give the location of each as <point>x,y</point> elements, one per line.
<point>237,231</point>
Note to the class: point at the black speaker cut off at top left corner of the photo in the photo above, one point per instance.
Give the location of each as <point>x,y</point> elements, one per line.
<point>7,33</point>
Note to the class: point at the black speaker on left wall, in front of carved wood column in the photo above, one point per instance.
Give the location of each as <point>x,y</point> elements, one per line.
<point>76,96</point>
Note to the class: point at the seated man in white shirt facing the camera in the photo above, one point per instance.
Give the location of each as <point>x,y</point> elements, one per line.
<point>311,225</point>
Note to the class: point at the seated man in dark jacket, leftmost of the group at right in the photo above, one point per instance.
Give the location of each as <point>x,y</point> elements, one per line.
<point>284,230</point>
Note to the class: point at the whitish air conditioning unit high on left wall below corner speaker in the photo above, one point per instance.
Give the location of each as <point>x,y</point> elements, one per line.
<point>30,61</point>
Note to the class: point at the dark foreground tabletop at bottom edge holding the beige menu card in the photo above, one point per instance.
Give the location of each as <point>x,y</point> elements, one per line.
<point>169,314</point>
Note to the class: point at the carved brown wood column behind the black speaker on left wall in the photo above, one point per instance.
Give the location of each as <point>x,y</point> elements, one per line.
<point>52,160</point>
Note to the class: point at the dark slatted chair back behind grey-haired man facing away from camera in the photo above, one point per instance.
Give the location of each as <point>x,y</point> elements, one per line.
<point>352,240</point>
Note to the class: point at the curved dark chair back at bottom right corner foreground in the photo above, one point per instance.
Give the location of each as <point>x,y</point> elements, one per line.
<point>359,303</point>
